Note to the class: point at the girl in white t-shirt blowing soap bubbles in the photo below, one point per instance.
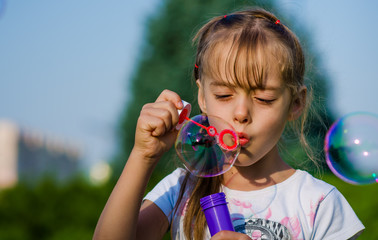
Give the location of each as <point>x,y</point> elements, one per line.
<point>249,70</point>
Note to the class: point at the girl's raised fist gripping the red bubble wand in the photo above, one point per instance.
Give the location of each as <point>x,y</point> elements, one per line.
<point>155,132</point>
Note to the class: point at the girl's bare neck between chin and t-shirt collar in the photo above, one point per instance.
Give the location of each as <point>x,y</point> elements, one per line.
<point>267,171</point>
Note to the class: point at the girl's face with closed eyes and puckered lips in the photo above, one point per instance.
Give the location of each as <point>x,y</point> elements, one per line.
<point>257,114</point>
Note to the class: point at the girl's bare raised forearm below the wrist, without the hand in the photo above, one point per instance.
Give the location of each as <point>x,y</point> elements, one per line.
<point>120,215</point>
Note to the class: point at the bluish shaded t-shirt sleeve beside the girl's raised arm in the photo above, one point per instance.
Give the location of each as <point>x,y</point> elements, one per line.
<point>166,192</point>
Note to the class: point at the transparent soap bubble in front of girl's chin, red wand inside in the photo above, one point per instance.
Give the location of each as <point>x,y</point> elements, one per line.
<point>207,146</point>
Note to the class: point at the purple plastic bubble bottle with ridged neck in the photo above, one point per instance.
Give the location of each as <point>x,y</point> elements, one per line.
<point>216,212</point>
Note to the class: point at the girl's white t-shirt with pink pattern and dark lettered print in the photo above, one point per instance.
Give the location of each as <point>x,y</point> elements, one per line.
<point>301,207</point>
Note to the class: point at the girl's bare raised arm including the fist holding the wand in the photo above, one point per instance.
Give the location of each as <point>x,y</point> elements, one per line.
<point>154,135</point>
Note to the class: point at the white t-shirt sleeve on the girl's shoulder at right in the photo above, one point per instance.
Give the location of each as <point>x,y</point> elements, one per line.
<point>335,218</point>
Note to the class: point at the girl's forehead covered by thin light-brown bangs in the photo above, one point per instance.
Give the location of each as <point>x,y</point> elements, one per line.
<point>231,64</point>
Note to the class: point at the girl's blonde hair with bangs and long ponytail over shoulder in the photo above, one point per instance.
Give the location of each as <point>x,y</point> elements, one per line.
<point>259,44</point>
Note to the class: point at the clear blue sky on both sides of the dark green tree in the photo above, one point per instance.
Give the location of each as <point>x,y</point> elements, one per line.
<point>65,65</point>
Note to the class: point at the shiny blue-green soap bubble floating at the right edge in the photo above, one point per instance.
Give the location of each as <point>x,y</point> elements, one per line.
<point>351,148</point>
